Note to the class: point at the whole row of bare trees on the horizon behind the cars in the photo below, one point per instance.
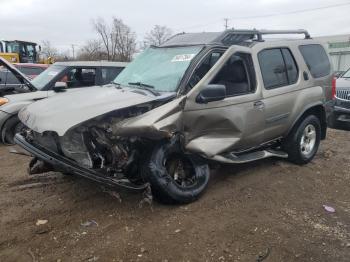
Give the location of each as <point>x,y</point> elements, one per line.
<point>114,41</point>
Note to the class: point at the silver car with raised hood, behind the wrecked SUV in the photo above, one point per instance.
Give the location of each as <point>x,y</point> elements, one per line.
<point>57,78</point>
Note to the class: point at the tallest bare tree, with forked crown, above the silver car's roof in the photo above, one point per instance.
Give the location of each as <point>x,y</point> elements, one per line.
<point>118,40</point>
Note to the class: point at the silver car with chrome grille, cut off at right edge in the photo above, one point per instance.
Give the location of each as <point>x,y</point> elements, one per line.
<point>340,116</point>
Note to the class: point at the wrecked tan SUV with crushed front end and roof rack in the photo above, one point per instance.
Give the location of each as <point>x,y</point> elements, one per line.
<point>229,97</point>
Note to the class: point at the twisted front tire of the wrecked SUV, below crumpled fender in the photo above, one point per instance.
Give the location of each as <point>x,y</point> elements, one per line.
<point>163,177</point>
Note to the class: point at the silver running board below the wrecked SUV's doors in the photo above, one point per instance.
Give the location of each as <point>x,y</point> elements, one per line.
<point>231,158</point>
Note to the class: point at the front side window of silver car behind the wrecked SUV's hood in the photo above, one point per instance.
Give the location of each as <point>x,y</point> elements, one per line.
<point>79,77</point>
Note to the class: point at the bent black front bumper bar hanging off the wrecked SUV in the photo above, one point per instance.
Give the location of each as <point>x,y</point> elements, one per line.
<point>63,164</point>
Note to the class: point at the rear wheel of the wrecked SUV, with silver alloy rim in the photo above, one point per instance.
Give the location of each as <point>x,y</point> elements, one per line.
<point>303,142</point>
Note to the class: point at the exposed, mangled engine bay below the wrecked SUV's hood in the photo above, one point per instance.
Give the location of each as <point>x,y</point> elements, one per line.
<point>95,145</point>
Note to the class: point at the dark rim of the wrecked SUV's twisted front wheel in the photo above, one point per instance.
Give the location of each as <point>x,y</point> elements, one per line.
<point>181,170</point>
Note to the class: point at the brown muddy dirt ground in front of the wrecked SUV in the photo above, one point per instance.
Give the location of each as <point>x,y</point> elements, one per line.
<point>269,209</point>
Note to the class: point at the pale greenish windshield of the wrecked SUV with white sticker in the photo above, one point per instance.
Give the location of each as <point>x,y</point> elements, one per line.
<point>159,68</point>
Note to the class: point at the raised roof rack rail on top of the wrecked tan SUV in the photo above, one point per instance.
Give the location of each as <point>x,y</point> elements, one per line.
<point>259,33</point>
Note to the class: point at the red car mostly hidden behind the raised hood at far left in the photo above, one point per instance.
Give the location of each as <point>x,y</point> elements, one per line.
<point>9,82</point>
